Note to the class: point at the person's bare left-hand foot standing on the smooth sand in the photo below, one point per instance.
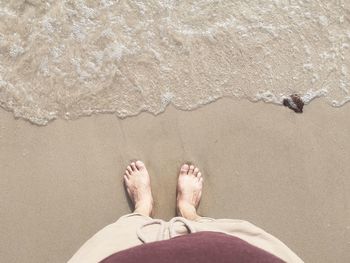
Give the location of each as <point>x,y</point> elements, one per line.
<point>138,185</point>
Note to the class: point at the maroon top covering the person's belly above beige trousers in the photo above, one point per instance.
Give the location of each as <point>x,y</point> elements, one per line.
<point>201,247</point>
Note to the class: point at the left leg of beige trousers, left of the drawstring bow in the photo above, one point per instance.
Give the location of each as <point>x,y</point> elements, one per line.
<point>111,239</point>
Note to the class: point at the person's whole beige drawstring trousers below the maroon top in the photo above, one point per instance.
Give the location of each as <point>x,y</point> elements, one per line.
<point>135,229</point>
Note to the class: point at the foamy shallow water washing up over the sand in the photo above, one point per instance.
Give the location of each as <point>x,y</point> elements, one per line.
<point>66,59</point>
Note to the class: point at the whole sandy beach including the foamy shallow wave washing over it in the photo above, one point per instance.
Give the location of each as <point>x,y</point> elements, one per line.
<point>86,87</point>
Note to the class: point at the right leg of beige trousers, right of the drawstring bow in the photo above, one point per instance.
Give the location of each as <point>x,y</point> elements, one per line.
<point>249,233</point>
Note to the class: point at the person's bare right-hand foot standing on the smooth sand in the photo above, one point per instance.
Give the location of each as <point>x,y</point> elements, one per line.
<point>189,191</point>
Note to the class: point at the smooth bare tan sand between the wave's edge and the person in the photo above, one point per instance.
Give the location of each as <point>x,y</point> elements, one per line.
<point>287,173</point>
